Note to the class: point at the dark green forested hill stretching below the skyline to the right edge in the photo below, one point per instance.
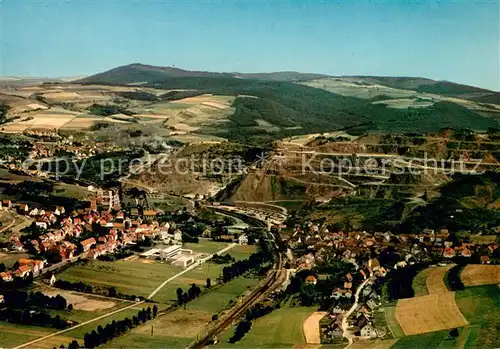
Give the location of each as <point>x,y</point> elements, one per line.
<point>295,108</point>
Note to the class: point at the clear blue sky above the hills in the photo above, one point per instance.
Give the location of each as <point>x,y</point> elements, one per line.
<point>444,40</point>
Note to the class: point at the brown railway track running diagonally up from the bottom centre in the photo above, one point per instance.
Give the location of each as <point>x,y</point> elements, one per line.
<point>236,312</point>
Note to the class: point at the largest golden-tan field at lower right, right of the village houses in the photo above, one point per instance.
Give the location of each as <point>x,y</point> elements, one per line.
<point>430,313</point>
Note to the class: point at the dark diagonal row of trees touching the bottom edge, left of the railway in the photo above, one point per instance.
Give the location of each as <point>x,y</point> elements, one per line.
<point>102,335</point>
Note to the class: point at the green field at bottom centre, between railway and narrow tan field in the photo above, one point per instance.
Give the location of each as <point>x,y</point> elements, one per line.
<point>280,329</point>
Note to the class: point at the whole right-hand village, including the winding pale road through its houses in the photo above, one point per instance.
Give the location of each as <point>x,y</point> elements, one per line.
<point>353,308</point>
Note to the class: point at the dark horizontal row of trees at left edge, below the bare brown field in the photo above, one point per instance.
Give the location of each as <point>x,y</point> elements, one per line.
<point>23,299</point>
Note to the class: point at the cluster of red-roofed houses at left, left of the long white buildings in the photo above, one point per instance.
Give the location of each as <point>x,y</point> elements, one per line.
<point>65,236</point>
